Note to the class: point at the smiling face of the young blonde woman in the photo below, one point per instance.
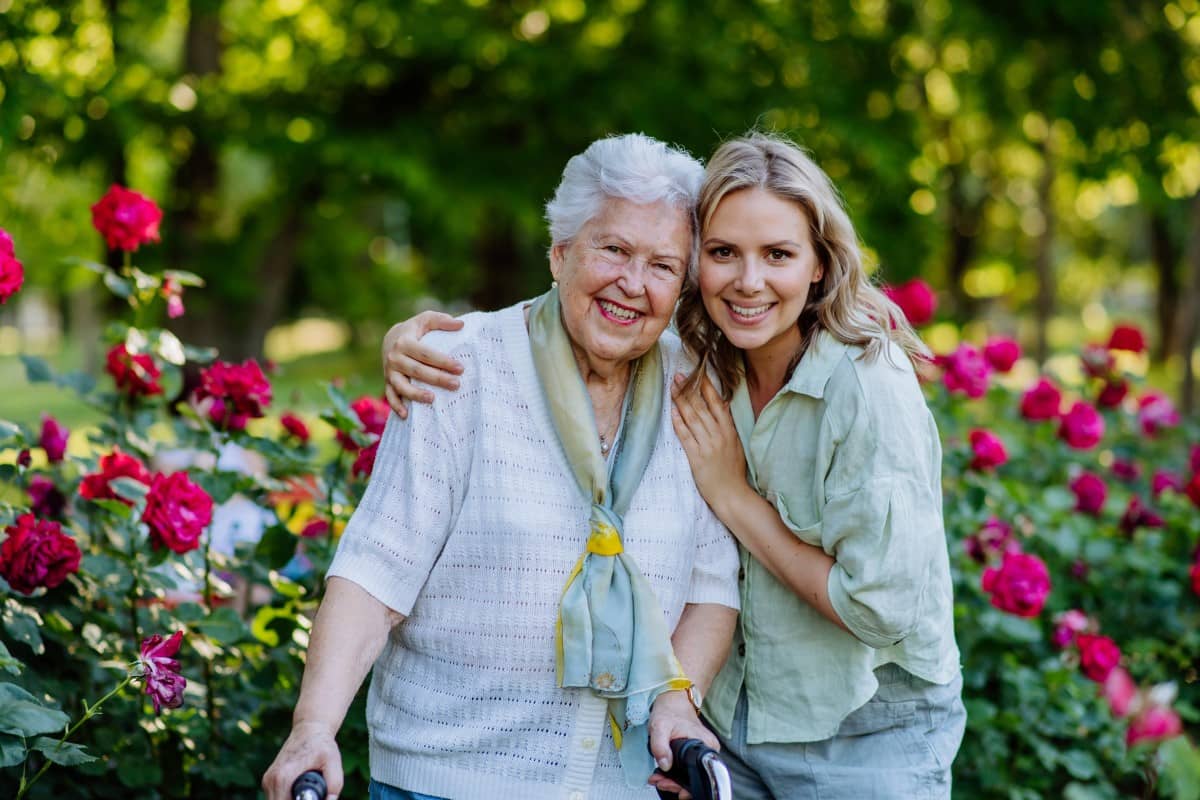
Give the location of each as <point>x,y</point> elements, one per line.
<point>757,266</point>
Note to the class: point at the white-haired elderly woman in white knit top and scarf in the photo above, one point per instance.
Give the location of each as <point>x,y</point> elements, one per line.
<point>542,590</point>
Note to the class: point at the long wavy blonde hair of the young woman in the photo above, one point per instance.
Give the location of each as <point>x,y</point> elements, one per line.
<point>844,302</point>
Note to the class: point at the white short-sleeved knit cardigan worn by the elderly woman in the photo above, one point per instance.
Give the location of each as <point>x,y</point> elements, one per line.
<point>470,527</point>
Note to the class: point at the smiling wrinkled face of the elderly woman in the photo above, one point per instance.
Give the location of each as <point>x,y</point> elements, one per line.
<point>621,276</point>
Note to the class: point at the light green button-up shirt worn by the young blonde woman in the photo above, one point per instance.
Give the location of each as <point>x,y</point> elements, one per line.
<point>849,455</point>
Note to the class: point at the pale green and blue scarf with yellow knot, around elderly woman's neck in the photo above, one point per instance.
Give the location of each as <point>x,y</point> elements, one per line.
<point>613,636</point>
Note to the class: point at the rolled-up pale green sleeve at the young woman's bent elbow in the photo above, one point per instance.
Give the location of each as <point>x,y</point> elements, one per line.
<point>883,538</point>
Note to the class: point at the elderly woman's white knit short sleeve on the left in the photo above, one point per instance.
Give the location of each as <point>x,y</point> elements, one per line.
<point>400,528</point>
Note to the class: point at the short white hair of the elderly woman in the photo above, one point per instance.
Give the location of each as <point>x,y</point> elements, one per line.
<point>632,167</point>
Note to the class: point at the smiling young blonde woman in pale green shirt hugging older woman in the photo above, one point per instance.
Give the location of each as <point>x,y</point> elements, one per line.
<point>818,452</point>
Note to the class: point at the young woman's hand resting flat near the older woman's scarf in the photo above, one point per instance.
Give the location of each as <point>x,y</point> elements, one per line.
<point>706,430</point>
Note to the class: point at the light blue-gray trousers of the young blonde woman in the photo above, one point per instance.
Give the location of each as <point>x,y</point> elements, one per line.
<point>901,744</point>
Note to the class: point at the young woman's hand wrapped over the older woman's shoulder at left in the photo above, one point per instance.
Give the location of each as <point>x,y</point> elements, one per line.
<point>405,359</point>
